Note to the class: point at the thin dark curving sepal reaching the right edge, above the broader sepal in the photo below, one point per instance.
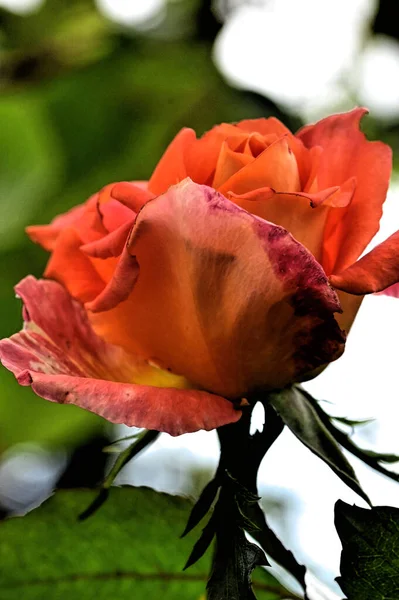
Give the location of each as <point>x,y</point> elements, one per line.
<point>372,459</point>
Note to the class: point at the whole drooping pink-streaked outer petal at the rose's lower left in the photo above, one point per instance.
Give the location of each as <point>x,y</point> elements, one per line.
<point>63,360</point>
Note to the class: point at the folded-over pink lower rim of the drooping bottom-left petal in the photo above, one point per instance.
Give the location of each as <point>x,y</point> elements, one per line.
<point>173,411</point>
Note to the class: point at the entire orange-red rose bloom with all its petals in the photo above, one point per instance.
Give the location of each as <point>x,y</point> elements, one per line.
<point>168,303</point>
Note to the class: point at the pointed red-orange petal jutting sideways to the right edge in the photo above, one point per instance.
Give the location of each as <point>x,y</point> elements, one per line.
<point>374,272</point>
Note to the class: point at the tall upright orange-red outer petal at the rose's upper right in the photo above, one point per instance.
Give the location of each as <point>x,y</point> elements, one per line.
<point>347,153</point>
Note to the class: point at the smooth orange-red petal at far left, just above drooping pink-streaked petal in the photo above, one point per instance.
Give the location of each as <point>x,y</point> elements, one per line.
<point>71,267</point>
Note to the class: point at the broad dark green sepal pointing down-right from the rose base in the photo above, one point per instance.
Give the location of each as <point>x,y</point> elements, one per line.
<point>299,414</point>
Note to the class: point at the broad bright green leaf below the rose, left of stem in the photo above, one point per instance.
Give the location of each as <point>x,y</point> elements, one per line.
<point>129,549</point>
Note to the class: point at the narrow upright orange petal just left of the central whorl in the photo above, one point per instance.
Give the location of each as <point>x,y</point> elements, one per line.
<point>172,167</point>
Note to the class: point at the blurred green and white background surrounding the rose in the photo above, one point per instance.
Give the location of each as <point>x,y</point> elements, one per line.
<point>92,92</point>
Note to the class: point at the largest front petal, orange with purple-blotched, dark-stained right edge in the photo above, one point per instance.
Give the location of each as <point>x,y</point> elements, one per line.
<point>231,301</point>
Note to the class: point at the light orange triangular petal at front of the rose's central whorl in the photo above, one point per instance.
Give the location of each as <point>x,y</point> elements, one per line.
<point>276,167</point>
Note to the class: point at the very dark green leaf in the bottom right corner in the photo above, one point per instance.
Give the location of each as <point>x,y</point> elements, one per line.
<point>370,551</point>
